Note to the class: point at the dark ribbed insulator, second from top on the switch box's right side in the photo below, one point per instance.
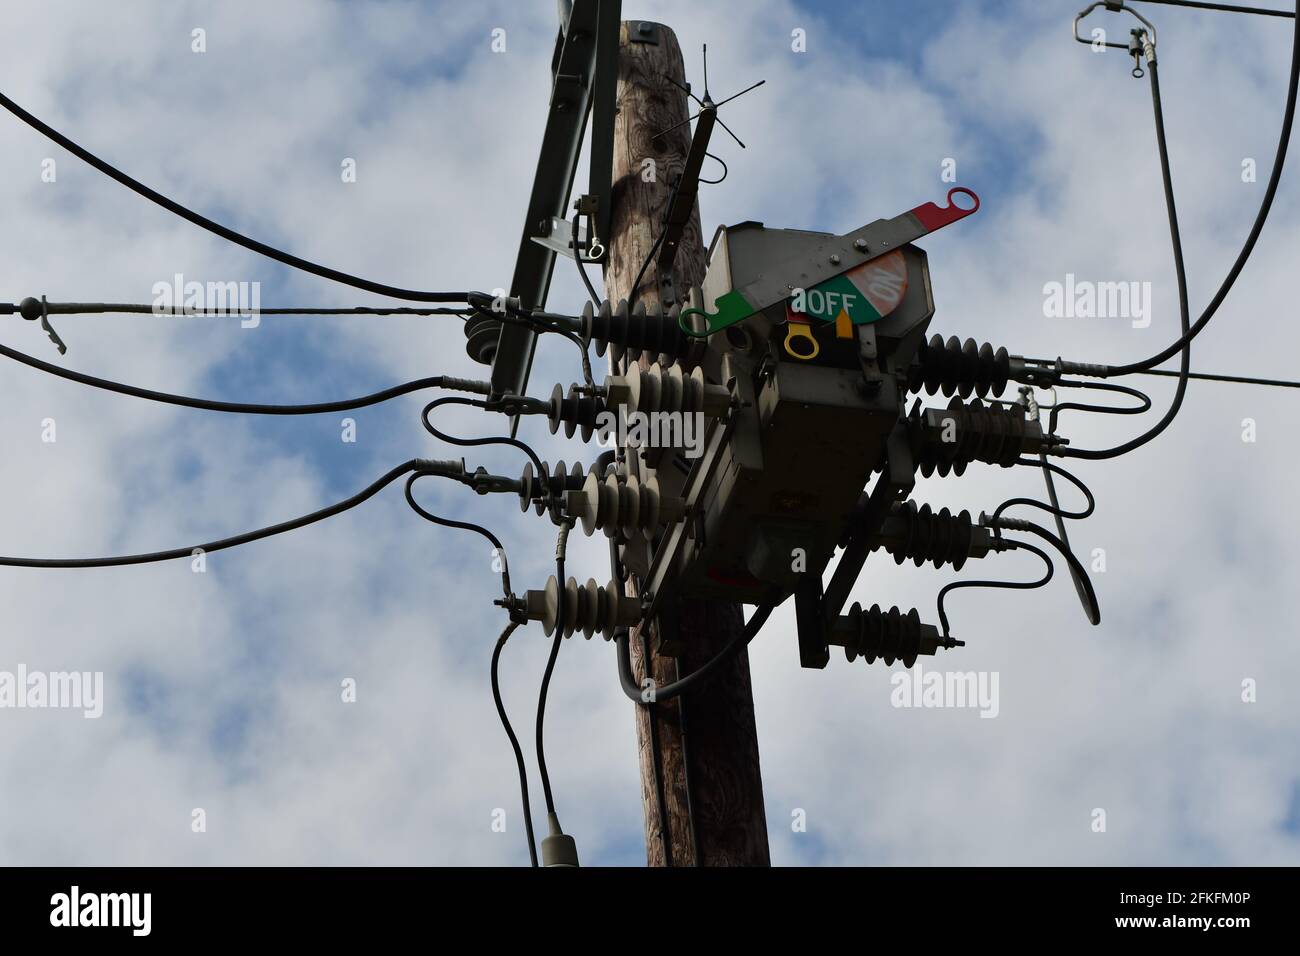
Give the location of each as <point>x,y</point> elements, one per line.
<point>946,442</point>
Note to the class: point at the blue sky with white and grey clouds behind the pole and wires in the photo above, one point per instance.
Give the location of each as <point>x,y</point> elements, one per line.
<point>223,689</point>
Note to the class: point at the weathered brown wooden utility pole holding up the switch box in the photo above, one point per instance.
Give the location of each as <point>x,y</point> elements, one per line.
<point>708,737</point>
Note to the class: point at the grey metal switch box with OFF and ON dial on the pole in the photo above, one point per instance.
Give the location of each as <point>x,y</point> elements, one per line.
<point>824,378</point>
